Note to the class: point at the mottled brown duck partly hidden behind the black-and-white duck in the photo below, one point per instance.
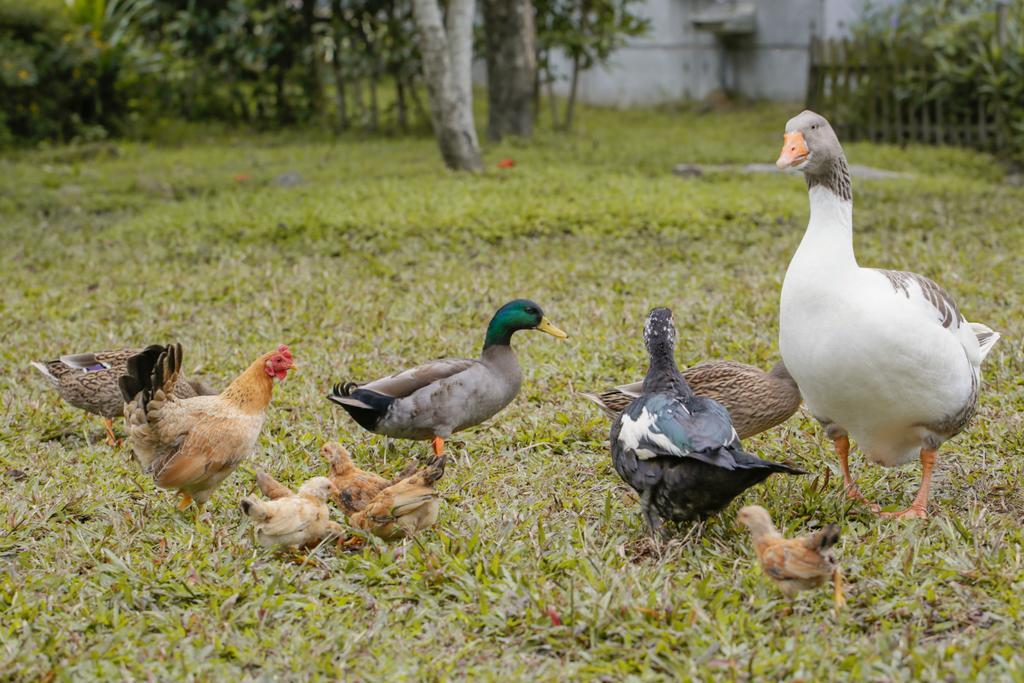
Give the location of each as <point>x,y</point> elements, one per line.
<point>757,401</point>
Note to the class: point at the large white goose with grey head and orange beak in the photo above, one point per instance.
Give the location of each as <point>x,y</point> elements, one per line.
<point>881,356</point>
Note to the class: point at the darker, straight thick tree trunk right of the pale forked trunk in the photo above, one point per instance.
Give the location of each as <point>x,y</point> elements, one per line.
<point>511,56</point>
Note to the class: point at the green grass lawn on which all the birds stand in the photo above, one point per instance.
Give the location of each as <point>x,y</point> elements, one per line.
<point>380,259</point>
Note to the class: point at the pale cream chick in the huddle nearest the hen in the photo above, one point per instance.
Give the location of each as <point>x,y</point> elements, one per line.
<point>292,521</point>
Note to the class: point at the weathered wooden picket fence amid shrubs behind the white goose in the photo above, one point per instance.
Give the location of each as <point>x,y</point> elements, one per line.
<point>871,91</point>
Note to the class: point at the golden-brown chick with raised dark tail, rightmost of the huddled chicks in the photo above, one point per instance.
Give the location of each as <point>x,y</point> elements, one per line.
<point>404,508</point>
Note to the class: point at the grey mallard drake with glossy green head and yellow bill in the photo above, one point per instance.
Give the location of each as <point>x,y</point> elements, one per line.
<point>435,401</point>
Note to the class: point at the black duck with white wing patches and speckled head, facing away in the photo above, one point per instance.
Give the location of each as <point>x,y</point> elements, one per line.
<point>679,451</point>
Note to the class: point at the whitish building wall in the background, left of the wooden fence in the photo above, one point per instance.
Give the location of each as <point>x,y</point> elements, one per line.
<point>757,49</point>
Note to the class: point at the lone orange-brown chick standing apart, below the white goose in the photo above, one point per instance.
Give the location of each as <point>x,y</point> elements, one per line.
<point>795,565</point>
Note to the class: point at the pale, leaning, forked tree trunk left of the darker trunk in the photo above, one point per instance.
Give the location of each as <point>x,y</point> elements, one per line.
<point>448,57</point>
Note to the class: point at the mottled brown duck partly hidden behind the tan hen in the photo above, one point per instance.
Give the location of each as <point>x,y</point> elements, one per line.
<point>90,382</point>
